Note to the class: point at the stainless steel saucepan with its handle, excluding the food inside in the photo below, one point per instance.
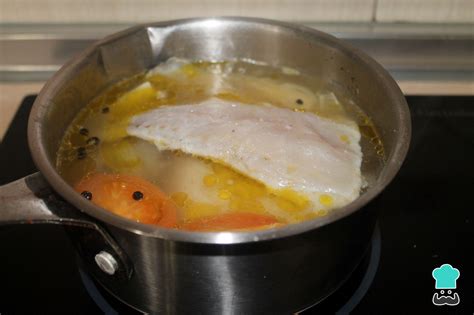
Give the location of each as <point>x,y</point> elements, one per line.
<point>159,270</point>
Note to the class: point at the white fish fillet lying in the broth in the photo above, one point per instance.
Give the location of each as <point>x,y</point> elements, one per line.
<point>277,146</point>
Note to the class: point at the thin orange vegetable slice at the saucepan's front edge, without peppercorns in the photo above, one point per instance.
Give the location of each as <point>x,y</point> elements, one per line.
<point>231,221</point>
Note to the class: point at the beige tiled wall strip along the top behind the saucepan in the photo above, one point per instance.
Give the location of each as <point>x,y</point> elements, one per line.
<point>127,11</point>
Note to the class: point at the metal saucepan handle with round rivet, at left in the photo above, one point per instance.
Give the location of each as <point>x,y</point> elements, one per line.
<point>31,200</point>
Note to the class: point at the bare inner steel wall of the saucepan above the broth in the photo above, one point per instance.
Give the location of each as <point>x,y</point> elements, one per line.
<point>277,44</point>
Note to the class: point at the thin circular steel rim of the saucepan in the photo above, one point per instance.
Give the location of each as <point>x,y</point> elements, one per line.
<point>393,162</point>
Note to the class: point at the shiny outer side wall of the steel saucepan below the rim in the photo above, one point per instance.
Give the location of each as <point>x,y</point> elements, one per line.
<point>272,277</point>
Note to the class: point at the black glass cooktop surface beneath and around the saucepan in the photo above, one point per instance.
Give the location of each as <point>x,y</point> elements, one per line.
<point>426,221</point>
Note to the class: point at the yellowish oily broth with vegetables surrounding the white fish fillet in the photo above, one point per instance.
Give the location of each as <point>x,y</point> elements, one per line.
<point>204,192</point>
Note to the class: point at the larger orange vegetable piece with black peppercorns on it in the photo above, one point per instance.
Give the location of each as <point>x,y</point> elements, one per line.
<point>131,197</point>
